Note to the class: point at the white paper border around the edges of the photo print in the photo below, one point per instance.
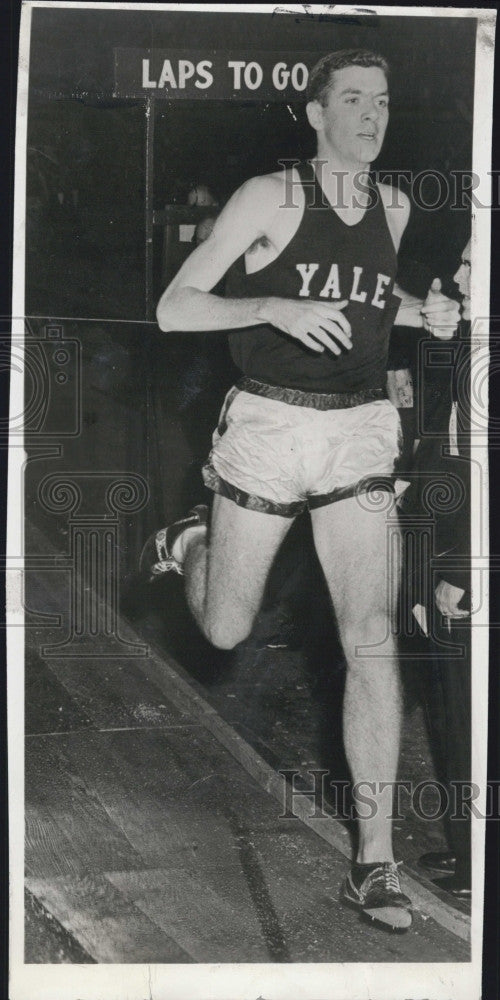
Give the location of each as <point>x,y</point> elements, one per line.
<point>360,981</point>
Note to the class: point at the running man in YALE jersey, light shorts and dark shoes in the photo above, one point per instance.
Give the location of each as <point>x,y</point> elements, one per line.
<point>309,255</point>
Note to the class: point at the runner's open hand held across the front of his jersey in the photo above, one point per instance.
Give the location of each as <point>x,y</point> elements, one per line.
<point>317,325</point>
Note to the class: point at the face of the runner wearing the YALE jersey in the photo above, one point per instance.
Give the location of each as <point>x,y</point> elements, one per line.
<point>355,117</point>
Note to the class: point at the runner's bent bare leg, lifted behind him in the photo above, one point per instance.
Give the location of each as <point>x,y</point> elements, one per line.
<point>225,577</point>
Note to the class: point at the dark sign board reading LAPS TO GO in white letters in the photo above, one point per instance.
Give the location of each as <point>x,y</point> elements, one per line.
<point>213,75</point>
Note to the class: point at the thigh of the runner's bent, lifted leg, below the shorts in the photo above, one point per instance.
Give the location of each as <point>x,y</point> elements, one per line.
<point>243,544</point>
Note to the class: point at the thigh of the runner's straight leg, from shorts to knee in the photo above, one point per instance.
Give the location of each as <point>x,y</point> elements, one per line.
<point>357,541</point>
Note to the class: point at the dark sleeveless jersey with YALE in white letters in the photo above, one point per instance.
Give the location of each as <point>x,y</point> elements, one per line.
<point>326,260</point>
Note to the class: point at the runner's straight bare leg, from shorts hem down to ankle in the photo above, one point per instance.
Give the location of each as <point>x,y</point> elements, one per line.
<point>352,543</point>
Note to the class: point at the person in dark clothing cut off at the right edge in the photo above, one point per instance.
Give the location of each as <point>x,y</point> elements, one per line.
<point>437,505</point>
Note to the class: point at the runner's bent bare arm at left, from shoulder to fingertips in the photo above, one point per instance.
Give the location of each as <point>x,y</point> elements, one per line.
<point>188,305</point>
